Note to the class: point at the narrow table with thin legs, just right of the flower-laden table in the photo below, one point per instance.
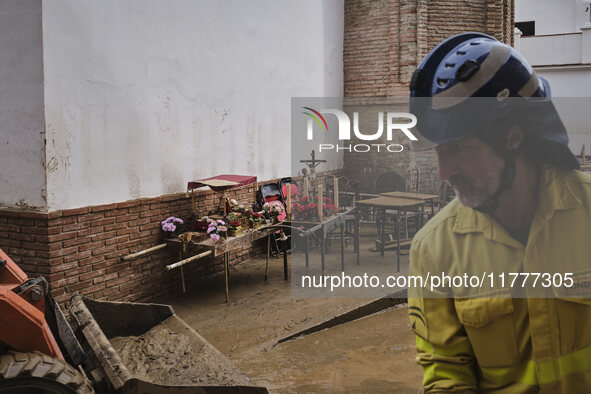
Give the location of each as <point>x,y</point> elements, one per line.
<point>325,226</point>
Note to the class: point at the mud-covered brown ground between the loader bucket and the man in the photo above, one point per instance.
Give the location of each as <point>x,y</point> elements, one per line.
<point>375,354</point>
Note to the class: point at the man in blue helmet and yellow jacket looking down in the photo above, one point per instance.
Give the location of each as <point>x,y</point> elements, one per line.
<point>517,233</point>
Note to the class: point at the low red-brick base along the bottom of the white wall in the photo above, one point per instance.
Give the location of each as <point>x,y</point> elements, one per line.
<point>79,250</point>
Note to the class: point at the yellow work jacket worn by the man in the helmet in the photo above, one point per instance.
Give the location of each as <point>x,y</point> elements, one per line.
<point>504,344</point>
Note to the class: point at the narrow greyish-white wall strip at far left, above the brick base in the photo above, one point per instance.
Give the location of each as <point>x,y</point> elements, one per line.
<point>22,175</point>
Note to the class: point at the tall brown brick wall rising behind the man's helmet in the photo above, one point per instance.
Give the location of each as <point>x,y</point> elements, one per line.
<point>384,42</point>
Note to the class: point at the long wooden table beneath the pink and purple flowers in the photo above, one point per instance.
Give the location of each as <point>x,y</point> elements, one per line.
<point>224,248</point>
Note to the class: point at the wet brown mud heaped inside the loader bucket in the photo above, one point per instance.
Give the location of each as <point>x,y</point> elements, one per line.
<point>165,355</point>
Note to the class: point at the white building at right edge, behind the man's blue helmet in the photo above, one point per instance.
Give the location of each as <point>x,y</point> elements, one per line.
<point>560,50</point>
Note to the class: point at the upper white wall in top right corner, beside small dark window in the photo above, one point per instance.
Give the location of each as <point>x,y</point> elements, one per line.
<point>553,16</point>
